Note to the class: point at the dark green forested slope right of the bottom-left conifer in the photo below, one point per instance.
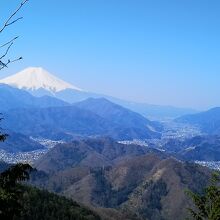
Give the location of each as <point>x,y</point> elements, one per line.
<point>40,204</point>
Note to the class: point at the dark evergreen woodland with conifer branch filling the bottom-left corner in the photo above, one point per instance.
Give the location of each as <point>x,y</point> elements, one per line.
<point>21,202</point>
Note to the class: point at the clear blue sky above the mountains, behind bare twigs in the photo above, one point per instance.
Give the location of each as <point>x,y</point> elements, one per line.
<point>156,51</point>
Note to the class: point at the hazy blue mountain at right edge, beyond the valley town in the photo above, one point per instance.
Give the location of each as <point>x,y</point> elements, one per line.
<point>208,121</point>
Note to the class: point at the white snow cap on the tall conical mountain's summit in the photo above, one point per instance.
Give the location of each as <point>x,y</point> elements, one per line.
<point>35,78</point>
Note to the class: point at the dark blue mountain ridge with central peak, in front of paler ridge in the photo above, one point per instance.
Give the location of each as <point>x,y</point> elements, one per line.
<point>68,122</point>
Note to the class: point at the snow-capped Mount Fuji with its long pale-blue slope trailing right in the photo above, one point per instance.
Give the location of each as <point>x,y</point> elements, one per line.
<point>40,82</point>
